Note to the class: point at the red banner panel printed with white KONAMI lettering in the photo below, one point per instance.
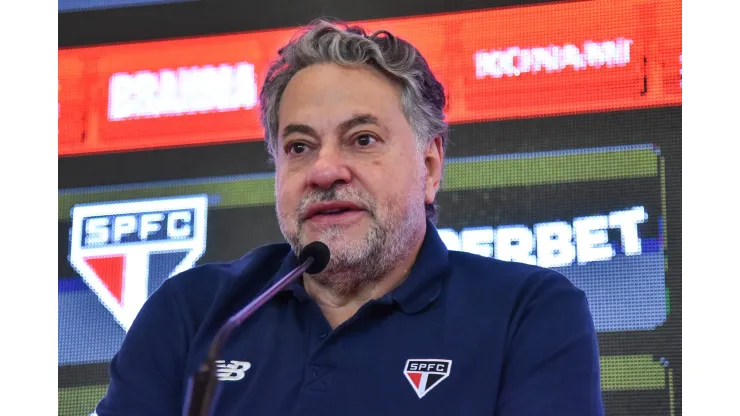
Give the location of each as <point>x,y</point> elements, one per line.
<point>549,60</point>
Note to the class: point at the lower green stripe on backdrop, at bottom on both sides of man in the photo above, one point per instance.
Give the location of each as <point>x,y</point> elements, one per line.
<point>622,372</point>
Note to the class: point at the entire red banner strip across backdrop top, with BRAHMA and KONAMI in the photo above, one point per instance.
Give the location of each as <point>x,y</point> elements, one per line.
<point>508,63</point>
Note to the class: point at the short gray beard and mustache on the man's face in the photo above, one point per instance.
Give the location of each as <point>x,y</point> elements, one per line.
<point>357,264</point>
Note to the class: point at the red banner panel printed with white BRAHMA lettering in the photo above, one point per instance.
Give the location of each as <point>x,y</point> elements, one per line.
<point>183,92</point>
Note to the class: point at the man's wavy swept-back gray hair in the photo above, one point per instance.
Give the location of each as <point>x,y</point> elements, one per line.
<point>323,41</point>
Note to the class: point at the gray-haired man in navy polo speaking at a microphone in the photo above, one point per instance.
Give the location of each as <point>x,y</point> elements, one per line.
<point>395,324</point>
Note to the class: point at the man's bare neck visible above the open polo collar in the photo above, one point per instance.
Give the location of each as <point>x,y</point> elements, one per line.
<point>339,307</point>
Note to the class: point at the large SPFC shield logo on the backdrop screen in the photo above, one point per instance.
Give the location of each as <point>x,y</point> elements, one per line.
<point>125,250</point>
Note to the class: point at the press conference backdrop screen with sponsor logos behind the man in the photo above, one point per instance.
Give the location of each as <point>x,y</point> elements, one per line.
<point>564,152</point>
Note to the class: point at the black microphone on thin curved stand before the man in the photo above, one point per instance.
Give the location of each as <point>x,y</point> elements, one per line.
<point>202,387</point>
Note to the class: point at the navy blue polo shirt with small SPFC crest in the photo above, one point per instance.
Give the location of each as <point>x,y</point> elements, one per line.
<point>462,335</point>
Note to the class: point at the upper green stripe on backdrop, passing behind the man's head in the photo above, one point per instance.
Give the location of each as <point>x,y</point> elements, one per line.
<point>470,173</point>
